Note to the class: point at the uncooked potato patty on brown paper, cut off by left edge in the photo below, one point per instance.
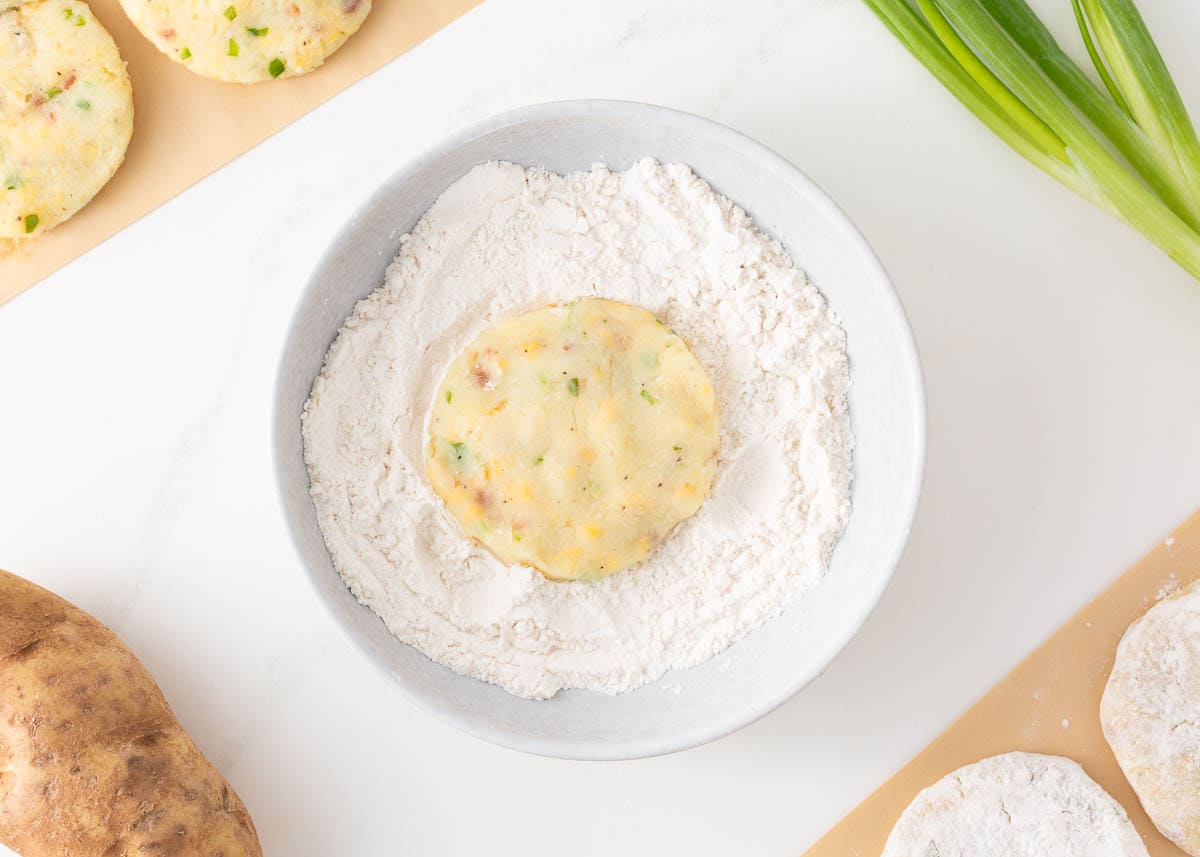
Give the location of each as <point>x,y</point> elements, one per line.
<point>67,113</point>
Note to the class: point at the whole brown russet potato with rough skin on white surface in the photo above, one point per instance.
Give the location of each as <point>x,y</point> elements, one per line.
<point>93,762</point>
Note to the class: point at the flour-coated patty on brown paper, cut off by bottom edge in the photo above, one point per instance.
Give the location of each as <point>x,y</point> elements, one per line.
<point>1019,805</point>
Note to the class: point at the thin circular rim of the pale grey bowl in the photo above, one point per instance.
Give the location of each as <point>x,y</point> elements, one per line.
<point>890,555</point>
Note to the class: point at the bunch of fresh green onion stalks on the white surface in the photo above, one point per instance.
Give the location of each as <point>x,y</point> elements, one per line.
<point>1130,148</point>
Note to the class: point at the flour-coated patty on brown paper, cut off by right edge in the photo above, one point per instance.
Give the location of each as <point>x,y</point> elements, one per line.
<point>1151,714</point>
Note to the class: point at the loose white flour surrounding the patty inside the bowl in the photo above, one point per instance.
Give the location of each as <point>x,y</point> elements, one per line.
<point>505,241</point>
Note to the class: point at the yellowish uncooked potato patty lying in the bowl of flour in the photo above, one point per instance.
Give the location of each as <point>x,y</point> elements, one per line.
<point>574,439</point>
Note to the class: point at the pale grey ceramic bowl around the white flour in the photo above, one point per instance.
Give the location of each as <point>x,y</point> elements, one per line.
<point>886,404</point>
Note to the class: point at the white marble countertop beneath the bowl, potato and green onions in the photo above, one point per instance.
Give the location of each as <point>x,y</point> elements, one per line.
<point>1060,351</point>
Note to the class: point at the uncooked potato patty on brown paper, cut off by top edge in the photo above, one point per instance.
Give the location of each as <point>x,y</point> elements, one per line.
<point>247,41</point>
